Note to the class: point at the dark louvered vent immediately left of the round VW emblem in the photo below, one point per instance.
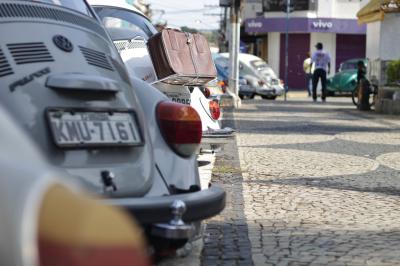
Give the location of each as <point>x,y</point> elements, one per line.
<point>27,53</point>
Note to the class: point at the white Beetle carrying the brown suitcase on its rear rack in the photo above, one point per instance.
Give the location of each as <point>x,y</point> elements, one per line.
<point>130,30</point>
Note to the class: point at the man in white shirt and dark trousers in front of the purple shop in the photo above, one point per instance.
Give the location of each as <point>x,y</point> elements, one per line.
<point>322,65</point>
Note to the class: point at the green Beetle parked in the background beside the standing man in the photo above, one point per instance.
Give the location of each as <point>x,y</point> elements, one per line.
<point>345,80</point>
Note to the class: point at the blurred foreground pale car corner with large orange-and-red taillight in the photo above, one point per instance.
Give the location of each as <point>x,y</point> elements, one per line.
<point>47,220</point>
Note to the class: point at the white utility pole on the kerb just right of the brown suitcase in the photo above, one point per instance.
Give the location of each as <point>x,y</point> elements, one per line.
<point>234,49</point>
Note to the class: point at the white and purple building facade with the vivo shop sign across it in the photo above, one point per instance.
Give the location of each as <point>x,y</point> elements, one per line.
<point>331,22</point>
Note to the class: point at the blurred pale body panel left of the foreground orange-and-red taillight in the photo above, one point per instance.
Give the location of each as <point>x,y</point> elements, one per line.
<point>24,176</point>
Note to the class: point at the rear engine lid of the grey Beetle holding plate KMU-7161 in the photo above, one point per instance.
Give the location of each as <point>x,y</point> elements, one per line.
<point>65,84</point>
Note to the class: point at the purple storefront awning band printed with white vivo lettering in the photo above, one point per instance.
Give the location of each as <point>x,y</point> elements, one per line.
<point>296,24</point>
